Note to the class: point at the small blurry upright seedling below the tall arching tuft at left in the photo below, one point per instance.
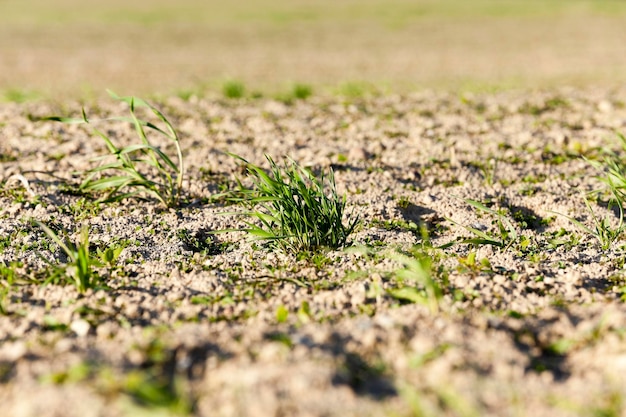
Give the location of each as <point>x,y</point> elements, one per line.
<point>80,268</point>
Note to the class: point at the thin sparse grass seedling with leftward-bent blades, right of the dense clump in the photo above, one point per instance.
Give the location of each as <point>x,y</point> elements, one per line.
<point>507,233</point>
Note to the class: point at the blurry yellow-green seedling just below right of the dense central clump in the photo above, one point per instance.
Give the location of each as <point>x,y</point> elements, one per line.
<point>417,271</point>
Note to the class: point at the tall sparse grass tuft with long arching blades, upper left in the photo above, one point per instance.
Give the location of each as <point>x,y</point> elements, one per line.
<point>137,169</point>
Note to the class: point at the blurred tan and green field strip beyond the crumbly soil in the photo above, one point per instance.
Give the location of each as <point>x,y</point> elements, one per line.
<point>79,48</point>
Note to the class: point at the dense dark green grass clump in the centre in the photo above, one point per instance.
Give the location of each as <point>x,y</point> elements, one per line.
<point>298,210</point>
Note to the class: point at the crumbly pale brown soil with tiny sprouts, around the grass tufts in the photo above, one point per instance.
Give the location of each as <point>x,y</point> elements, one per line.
<point>215,325</point>
